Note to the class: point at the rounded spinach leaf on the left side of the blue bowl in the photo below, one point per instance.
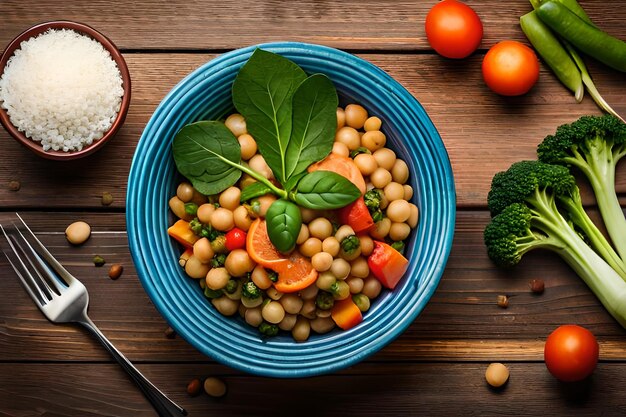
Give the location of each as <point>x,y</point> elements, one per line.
<point>207,153</point>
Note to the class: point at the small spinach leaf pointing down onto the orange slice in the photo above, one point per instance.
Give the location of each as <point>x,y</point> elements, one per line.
<point>283,224</point>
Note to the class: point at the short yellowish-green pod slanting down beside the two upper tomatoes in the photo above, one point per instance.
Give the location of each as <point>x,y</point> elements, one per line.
<point>553,53</point>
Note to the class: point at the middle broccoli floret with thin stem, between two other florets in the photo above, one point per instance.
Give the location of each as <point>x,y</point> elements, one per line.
<point>543,187</point>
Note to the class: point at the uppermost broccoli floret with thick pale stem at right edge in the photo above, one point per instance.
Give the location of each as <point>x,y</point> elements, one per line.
<point>594,145</point>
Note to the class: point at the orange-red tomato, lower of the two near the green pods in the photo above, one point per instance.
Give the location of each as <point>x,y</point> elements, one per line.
<point>510,68</point>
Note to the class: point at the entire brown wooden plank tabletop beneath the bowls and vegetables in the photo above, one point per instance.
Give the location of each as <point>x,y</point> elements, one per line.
<point>437,366</point>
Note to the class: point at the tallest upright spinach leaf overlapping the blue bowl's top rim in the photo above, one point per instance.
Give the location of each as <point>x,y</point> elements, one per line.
<point>262,93</point>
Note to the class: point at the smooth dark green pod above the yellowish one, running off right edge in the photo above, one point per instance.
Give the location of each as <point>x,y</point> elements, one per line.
<point>584,36</point>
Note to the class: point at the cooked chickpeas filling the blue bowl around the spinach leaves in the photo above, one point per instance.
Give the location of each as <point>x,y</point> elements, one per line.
<point>235,284</point>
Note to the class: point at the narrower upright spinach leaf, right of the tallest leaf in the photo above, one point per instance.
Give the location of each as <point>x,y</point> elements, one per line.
<point>314,123</point>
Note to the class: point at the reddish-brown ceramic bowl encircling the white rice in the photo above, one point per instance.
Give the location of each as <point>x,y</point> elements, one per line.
<point>117,57</point>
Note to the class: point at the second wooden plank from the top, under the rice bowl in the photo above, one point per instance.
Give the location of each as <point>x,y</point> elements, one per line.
<point>483,133</point>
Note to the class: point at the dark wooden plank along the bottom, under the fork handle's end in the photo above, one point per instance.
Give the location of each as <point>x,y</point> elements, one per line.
<point>398,389</point>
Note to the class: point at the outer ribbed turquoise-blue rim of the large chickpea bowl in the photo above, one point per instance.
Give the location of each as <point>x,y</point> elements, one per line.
<point>397,90</point>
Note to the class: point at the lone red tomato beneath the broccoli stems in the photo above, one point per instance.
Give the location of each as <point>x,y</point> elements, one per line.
<point>571,353</point>
